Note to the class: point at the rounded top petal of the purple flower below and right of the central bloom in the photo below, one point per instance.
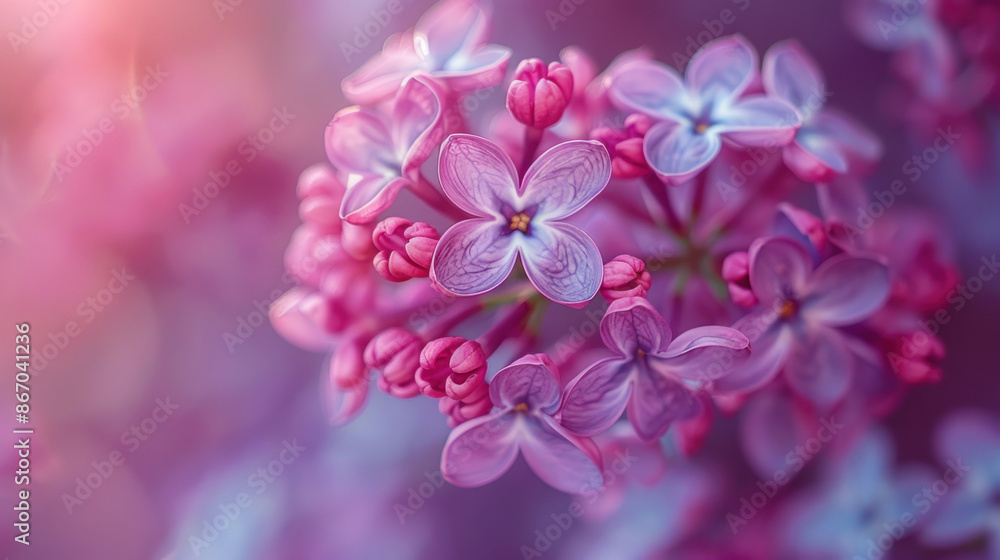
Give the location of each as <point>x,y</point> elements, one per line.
<point>632,324</point>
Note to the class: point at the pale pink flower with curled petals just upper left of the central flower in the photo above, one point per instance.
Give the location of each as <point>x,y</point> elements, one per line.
<point>382,155</point>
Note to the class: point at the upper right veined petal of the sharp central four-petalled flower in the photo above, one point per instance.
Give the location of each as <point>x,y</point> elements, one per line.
<point>565,178</point>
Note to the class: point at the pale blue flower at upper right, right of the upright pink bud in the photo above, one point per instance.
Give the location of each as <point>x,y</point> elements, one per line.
<point>709,105</point>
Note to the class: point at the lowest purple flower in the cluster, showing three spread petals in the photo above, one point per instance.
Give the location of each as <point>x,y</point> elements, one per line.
<point>526,395</point>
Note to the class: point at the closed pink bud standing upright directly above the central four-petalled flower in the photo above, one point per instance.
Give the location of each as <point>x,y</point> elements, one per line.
<point>538,95</point>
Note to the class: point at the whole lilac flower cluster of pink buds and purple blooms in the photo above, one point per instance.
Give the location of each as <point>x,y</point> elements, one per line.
<point>652,207</point>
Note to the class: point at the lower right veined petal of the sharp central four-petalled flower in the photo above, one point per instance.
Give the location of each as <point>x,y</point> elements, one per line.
<point>562,262</point>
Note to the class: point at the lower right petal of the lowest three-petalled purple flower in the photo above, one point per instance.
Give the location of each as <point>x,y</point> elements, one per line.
<point>565,462</point>
